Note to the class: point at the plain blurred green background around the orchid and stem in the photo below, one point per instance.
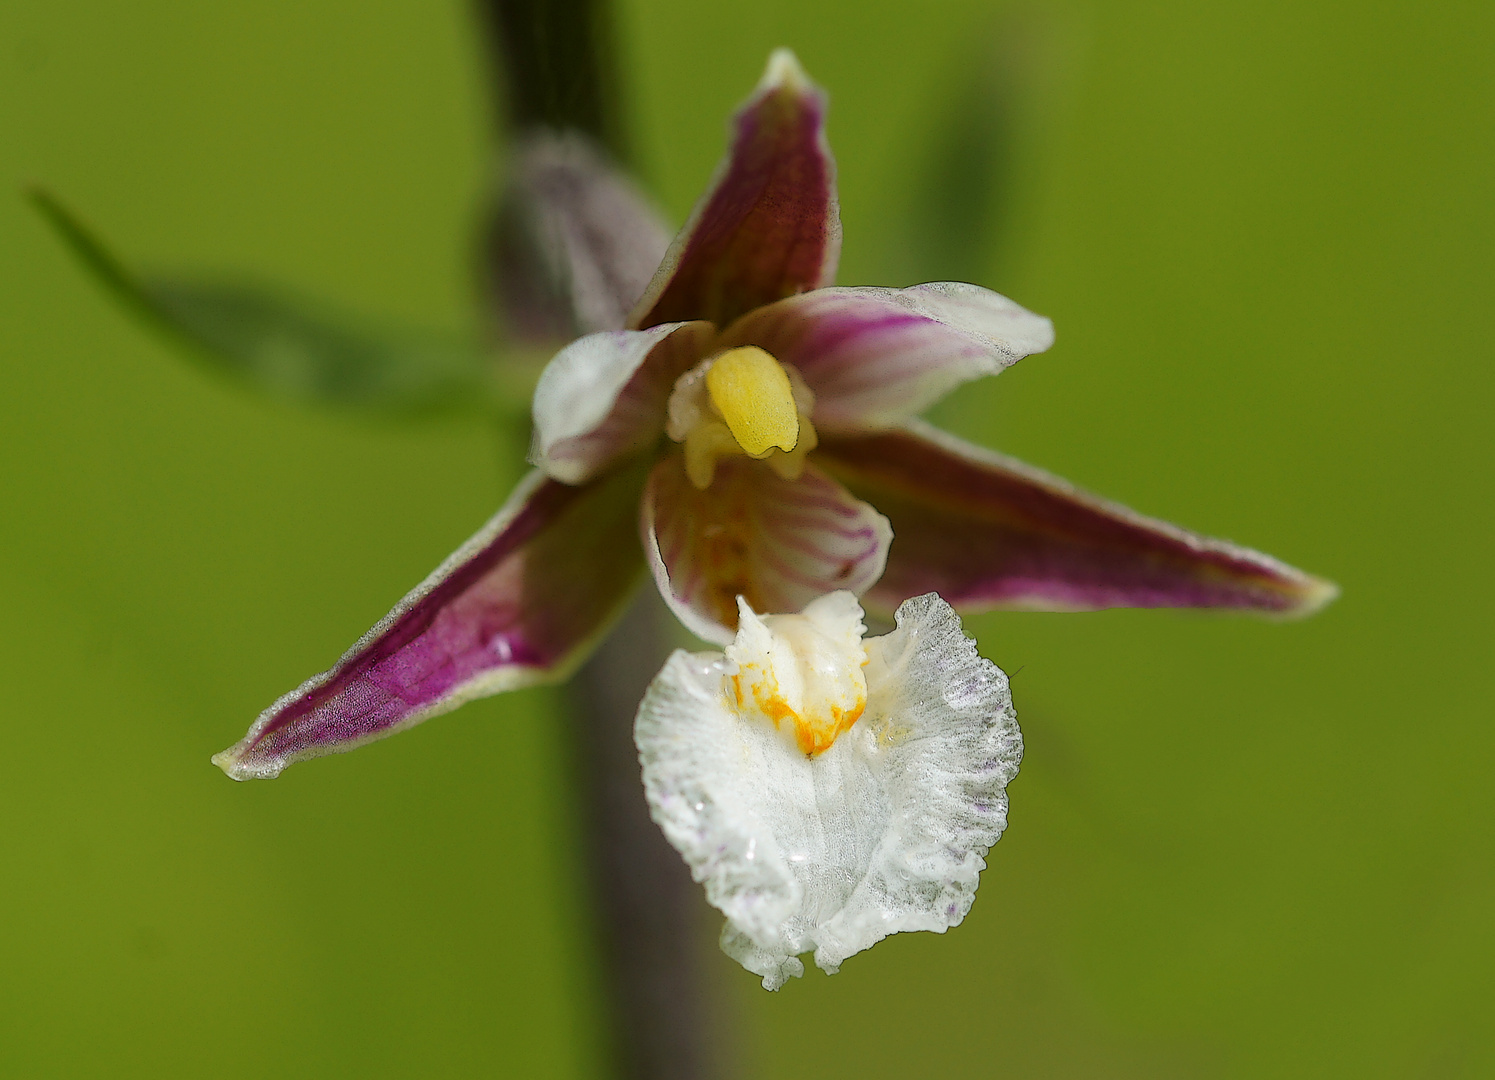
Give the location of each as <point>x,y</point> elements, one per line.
<point>1236,849</point>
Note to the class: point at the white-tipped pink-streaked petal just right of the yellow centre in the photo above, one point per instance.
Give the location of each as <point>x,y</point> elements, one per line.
<point>878,357</point>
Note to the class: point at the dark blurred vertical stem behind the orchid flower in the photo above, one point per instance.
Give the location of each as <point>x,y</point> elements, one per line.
<point>555,64</point>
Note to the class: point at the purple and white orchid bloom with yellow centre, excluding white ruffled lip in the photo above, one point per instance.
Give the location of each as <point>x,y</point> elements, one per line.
<point>757,427</point>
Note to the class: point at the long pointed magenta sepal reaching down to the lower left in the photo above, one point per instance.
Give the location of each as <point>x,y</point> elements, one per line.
<point>517,605</point>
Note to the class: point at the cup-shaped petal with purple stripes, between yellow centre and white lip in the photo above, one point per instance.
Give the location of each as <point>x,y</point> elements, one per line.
<point>778,544</point>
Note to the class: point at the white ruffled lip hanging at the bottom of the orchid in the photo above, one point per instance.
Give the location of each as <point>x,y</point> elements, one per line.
<point>883,832</point>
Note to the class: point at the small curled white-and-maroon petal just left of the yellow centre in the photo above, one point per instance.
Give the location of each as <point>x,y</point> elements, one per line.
<point>605,397</point>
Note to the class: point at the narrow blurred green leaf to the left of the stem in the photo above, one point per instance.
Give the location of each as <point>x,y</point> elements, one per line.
<point>295,349</point>
